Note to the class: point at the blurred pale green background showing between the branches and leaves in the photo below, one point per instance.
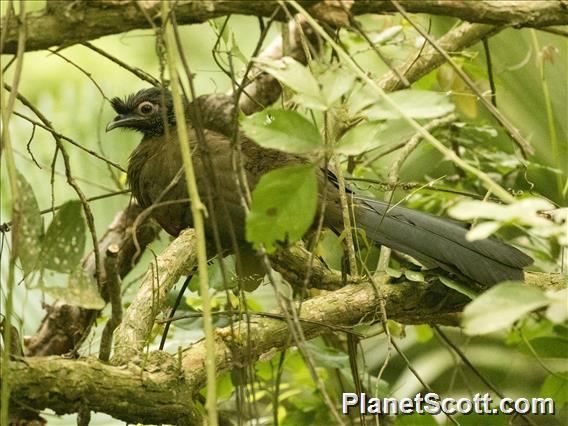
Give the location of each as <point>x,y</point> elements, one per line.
<point>531,74</point>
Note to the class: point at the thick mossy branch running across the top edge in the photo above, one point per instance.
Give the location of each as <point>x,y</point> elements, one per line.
<point>79,21</point>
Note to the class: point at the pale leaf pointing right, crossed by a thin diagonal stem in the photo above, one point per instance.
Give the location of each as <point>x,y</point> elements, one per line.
<point>414,103</point>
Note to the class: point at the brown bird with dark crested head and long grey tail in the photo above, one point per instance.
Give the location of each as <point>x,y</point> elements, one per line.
<point>155,167</point>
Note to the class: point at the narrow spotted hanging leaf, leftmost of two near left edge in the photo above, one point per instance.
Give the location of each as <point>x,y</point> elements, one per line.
<point>29,231</point>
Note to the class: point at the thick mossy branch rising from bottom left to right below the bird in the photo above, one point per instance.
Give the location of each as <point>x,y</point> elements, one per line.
<point>162,393</point>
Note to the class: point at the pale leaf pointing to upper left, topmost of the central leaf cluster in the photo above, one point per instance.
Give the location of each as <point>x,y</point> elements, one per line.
<point>297,77</point>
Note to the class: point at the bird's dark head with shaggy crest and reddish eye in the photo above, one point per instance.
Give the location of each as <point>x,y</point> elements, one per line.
<point>144,111</point>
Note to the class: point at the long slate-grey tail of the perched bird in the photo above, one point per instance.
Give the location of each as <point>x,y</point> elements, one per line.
<point>439,242</point>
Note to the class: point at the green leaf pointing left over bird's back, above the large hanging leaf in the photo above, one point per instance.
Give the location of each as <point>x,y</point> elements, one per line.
<point>284,130</point>
